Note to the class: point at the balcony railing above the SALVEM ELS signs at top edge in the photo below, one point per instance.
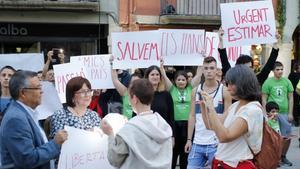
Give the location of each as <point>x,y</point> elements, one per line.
<point>193,7</point>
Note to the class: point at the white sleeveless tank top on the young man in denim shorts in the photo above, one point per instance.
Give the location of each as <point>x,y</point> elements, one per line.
<point>204,136</point>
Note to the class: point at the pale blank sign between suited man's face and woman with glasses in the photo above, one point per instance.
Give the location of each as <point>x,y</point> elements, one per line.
<point>50,101</point>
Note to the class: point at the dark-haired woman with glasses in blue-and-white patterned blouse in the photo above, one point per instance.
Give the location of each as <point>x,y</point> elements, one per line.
<point>76,112</point>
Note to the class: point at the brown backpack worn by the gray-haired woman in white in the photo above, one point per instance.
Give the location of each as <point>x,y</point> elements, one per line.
<point>271,149</point>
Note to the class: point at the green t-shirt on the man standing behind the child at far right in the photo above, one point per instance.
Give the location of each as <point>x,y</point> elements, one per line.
<point>278,91</point>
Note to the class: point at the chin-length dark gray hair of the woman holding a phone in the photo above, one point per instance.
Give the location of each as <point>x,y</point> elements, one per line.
<point>247,86</point>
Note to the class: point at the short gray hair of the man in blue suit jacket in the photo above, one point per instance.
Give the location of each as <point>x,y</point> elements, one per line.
<point>19,80</point>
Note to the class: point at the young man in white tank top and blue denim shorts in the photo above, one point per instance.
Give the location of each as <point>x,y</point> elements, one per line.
<point>205,142</point>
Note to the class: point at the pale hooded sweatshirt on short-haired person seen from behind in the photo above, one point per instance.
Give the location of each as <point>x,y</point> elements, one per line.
<point>145,142</point>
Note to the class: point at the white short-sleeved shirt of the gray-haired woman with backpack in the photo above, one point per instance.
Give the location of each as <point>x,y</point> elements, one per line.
<point>238,149</point>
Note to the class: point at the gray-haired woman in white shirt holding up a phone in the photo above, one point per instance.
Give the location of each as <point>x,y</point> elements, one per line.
<point>240,129</point>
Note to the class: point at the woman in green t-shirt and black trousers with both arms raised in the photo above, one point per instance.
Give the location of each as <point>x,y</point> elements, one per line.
<point>181,92</point>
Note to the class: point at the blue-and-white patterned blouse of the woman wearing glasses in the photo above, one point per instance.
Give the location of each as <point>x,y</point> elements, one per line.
<point>65,117</point>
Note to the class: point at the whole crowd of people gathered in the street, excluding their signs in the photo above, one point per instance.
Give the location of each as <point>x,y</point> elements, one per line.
<point>214,118</point>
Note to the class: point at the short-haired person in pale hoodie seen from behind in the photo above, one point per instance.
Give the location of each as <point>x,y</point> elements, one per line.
<point>145,142</point>
